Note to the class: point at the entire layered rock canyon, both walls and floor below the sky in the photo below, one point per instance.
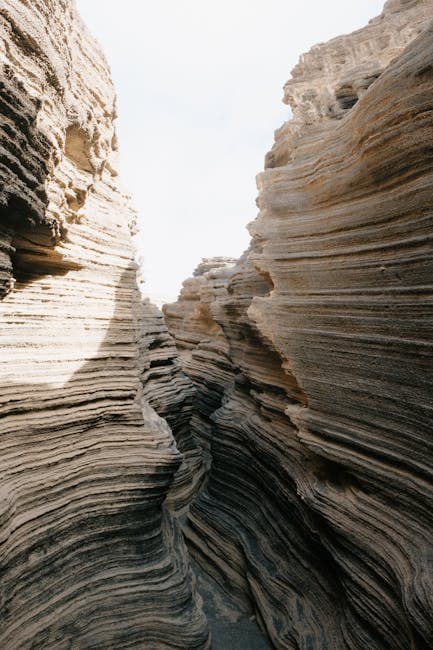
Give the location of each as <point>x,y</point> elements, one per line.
<point>250,468</point>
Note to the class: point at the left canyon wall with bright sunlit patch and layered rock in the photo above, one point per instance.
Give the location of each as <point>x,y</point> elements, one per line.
<point>89,556</point>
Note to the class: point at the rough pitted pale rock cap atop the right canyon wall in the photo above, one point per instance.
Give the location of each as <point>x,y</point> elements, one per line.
<point>331,78</point>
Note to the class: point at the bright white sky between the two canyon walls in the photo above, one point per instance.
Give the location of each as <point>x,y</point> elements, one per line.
<point>199,86</point>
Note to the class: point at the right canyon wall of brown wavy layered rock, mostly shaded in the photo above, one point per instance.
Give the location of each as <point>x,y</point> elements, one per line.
<point>312,358</point>
